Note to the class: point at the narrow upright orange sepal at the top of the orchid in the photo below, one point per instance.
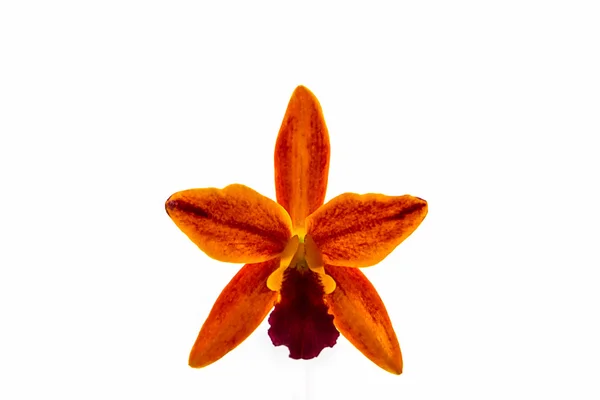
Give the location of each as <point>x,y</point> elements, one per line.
<point>302,157</point>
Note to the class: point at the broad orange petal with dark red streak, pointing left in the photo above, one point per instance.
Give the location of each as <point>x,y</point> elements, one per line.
<point>234,224</point>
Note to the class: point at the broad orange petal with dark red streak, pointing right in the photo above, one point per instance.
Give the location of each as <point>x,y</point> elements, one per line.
<point>361,230</point>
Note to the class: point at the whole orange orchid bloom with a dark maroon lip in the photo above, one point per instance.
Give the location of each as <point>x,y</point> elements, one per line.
<point>301,257</point>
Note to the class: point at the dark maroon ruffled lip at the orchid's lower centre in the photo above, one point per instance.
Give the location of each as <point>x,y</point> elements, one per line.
<point>301,320</point>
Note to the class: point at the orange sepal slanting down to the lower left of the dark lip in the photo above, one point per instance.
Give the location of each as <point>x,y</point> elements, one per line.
<point>240,308</point>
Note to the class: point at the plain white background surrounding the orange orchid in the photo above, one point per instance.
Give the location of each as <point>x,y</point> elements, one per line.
<point>487,109</point>
